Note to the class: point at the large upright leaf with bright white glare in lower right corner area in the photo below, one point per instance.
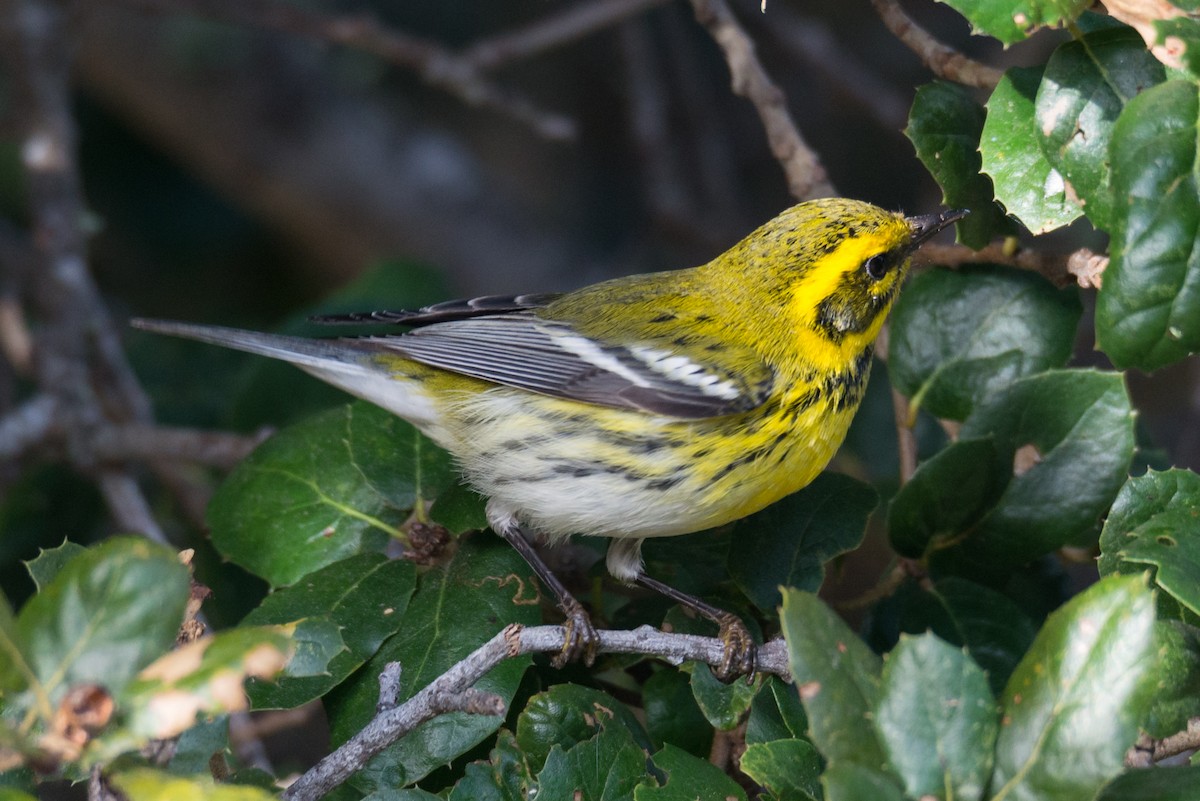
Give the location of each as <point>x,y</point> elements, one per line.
<point>1073,706</point>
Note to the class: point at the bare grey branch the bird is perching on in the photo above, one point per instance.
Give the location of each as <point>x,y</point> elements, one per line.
<point>452,691</point>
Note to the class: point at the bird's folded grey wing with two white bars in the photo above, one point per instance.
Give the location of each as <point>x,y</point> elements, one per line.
<point>553,358</point>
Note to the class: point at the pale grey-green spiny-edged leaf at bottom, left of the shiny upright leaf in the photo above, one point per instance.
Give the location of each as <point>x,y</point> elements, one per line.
<point>938,720</point>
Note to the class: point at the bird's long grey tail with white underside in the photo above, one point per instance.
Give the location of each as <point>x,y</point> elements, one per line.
<point>350,365</point>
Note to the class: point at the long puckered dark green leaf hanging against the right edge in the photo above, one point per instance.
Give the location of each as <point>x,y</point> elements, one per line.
<point>1148,314</point>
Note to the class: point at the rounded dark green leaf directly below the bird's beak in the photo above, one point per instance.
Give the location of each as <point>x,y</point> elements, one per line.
<point>959,336</point>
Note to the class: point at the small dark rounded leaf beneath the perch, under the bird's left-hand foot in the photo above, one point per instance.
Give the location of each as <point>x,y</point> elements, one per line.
<point>567,715</point>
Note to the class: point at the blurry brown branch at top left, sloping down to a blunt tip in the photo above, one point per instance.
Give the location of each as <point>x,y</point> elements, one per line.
<point>436,65</point>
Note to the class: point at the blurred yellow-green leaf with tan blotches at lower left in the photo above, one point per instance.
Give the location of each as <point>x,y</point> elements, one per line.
<point>205,677</point>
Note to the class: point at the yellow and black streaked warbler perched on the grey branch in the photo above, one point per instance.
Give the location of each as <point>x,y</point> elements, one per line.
<point>643,407</point>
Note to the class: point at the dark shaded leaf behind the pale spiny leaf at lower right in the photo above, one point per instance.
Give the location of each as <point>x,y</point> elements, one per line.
<point>993,629</point>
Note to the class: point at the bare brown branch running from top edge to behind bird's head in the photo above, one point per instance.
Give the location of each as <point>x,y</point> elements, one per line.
<point>806,177</point>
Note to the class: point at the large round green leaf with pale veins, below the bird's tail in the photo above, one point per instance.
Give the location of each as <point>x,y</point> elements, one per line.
<point>325,490</point>
